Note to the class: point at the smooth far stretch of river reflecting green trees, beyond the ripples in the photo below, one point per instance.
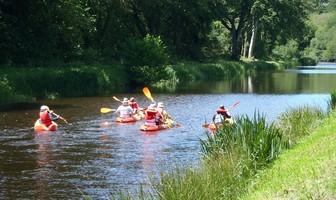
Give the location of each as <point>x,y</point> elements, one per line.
<point>275,82</point>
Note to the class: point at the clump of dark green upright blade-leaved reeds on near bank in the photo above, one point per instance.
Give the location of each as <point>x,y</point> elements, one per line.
<point>259,142</point>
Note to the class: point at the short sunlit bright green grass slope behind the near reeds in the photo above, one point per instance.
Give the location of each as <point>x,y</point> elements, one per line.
<point>305,172</point>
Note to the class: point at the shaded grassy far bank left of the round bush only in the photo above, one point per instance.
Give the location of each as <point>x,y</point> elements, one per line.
<point>52,83</point>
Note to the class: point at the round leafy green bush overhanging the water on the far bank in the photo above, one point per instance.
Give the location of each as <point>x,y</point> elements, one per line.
<point>145,59</point>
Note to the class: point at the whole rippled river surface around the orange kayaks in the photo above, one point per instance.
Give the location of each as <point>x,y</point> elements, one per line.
<point>94,156</point>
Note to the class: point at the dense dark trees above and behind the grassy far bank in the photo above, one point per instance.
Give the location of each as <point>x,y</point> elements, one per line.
<point>38,32</point>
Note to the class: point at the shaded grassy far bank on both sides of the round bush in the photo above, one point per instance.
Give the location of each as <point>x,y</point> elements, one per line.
<point>34,83</point>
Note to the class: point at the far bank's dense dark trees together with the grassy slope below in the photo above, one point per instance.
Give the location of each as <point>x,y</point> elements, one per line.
<point>92,47</point>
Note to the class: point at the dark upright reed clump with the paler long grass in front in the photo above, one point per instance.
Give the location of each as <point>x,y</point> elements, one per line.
<point>232,156</point>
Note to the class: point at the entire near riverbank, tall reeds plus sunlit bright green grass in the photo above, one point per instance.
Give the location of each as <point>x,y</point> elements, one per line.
<point>291,158</point>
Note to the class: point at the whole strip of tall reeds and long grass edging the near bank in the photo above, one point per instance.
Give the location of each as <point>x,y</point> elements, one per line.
<point>235,155</point>
